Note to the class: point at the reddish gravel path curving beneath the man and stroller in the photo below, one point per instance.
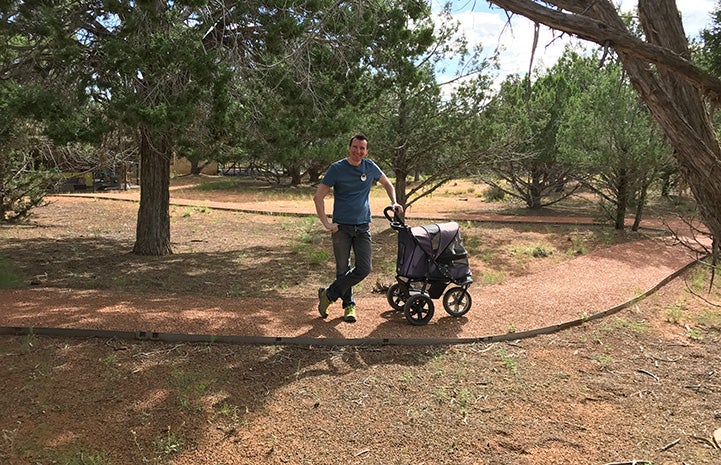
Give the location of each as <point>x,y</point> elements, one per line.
<point>576,289</point>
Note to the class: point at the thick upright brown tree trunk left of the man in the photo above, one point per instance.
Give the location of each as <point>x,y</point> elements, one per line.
<point>153,228</point>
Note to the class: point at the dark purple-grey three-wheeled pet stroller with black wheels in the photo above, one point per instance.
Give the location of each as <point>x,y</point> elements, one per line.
<point>430,259</point>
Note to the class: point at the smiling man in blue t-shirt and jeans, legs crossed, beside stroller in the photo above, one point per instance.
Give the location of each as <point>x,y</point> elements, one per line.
<point>351,179</point>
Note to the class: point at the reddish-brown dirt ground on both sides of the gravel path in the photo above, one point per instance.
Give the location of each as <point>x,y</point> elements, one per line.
<point>641,386</point>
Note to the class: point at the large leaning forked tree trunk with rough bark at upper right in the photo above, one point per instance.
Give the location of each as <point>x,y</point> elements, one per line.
<point>674,89</point>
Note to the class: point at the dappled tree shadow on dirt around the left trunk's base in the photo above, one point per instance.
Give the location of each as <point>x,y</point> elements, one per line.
<point>103,263</point>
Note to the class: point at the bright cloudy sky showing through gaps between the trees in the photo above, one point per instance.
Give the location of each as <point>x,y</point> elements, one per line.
<point>487,25</point>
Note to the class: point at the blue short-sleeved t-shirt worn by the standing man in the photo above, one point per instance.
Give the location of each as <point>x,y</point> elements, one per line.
<point>351,190</point>
